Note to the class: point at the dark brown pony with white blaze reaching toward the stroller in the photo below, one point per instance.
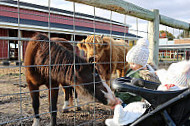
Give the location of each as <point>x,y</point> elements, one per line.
<point>62,72</point>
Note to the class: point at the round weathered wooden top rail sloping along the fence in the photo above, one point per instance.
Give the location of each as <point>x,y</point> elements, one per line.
<point>125,7</point>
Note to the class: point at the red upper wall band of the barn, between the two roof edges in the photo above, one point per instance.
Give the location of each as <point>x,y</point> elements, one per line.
<point>6,11</point>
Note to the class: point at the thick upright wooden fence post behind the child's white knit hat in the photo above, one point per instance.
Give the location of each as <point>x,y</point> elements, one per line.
<point>153,37</point>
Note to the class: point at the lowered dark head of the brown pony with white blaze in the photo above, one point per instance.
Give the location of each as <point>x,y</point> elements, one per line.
<point>91,83</point>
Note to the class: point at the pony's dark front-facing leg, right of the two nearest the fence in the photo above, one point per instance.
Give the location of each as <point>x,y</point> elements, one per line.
<point>53,105</point>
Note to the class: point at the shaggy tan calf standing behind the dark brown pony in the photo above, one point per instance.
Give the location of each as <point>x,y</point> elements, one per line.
<point>106,49</point>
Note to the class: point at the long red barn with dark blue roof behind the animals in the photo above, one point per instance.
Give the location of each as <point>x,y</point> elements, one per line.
<point>34,18</point>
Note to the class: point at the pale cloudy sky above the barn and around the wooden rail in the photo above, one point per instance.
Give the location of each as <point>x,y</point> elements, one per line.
<point>177,9</point>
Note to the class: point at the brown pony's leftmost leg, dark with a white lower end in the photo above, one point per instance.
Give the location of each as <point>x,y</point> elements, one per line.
<point>35,102</point>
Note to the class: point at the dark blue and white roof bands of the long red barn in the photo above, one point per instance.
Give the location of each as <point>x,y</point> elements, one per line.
<point>40,25</point>
